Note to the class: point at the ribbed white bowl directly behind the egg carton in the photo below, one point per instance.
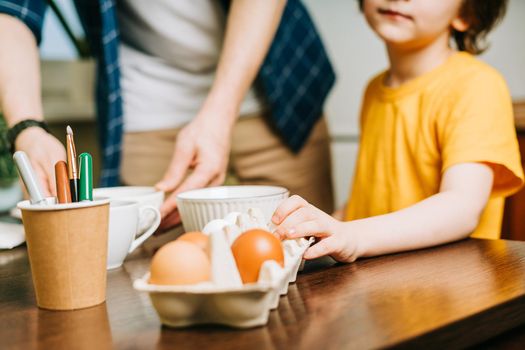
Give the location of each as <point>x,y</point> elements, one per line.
<point>198,207</point>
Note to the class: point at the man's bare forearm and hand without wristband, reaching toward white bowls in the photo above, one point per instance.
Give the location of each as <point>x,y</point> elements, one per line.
<point>204,145</point>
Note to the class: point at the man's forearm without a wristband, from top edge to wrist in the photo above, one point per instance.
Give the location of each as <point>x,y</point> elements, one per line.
<point>250,30</point>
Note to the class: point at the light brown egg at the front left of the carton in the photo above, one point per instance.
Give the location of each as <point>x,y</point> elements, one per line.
<point>180,262</point>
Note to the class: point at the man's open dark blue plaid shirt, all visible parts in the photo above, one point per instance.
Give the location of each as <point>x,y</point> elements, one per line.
<point>295,77</point>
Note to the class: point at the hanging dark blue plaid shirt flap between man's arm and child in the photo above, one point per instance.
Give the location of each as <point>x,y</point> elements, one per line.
<point>296,76</point>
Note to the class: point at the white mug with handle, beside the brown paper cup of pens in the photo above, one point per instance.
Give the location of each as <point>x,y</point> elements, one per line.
<point>124,218</point>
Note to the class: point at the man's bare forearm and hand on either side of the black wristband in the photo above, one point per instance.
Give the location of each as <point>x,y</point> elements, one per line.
<point>20,98</point>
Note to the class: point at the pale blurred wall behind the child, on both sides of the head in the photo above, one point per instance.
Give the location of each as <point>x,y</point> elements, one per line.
<point>358,55</point>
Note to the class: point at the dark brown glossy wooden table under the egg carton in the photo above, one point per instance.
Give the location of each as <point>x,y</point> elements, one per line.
<point>450,296</point>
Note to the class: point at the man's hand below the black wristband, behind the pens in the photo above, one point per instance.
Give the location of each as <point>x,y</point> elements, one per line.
<point>43,150</point>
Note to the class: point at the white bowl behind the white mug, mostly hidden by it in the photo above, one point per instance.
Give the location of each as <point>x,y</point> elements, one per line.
<point>144,195</point>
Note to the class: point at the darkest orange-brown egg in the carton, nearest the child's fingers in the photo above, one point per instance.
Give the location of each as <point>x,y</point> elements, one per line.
<point>252,248</point>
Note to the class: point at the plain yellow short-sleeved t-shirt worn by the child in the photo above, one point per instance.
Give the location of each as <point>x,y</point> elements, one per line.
<point>459,112</point>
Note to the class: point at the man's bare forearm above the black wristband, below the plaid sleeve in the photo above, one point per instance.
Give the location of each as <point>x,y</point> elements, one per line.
<point>20,96</point>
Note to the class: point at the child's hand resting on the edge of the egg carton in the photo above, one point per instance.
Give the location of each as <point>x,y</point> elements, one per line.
<point>297,218</point>
